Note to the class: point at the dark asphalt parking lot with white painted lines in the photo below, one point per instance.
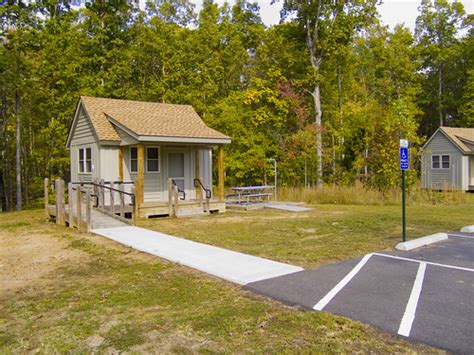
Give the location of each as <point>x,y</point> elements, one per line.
<point>425,295</point>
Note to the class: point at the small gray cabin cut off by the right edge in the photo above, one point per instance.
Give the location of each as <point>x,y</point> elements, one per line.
<point>448,160</point>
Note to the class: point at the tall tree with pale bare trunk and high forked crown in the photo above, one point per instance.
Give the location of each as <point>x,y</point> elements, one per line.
<point>326,23</point>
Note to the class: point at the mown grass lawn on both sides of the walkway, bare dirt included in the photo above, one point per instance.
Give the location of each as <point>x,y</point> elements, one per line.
<point>61,291</point>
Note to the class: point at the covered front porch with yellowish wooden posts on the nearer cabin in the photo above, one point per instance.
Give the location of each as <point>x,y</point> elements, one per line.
<point>172,180</point>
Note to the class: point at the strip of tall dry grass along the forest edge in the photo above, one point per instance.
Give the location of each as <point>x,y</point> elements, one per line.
<point>358,194</point>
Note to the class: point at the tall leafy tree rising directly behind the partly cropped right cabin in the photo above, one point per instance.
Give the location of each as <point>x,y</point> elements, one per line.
<point>436,33</point>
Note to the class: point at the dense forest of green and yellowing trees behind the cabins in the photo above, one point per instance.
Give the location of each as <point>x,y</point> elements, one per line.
<point>328,92</point>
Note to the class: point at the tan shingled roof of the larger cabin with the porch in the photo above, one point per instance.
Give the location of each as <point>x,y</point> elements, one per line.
<point>147,120</point>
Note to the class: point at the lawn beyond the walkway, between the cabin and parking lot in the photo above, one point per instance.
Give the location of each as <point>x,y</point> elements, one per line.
<point>328,233</point>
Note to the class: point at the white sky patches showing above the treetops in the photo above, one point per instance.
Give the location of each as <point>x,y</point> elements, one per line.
<point>391,12</point>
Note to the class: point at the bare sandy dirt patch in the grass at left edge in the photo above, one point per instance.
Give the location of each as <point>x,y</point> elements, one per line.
<point>26,260</point>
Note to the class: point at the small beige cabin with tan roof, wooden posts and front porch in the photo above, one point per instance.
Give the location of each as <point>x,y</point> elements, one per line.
<point>147,146</point>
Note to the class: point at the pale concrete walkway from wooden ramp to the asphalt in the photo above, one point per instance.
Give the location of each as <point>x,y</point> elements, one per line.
<point>229,265</point>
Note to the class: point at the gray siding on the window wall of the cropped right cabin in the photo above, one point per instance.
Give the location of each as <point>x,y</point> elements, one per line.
<point>452,178</point>
